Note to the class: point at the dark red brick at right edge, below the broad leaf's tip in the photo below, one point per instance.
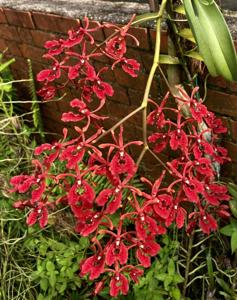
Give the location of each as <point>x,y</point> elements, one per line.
<point>222,103</point>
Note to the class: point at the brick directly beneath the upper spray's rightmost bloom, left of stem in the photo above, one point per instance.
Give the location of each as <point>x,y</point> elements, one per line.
<point>138,83</point>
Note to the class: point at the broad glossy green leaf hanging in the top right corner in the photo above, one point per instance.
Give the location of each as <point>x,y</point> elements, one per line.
<point>213,37</point>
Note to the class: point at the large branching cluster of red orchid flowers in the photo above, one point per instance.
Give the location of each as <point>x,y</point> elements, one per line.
<point>121,221</point>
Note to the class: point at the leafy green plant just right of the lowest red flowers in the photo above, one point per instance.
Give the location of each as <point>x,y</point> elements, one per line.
<point>162,280</point>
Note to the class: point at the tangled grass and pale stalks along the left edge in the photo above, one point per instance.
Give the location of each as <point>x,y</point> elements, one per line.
<point>16,263</point>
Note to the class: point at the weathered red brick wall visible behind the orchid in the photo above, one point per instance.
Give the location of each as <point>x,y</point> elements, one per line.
<point>24,34</point>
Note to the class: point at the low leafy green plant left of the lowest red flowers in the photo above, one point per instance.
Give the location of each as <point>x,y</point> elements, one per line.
<point>58,261</point>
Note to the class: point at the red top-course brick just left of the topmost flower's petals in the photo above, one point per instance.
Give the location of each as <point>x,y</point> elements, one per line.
<point>54,23</point>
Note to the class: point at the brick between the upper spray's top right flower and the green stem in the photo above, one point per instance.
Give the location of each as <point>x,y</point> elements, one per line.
<point>141,34</point>
